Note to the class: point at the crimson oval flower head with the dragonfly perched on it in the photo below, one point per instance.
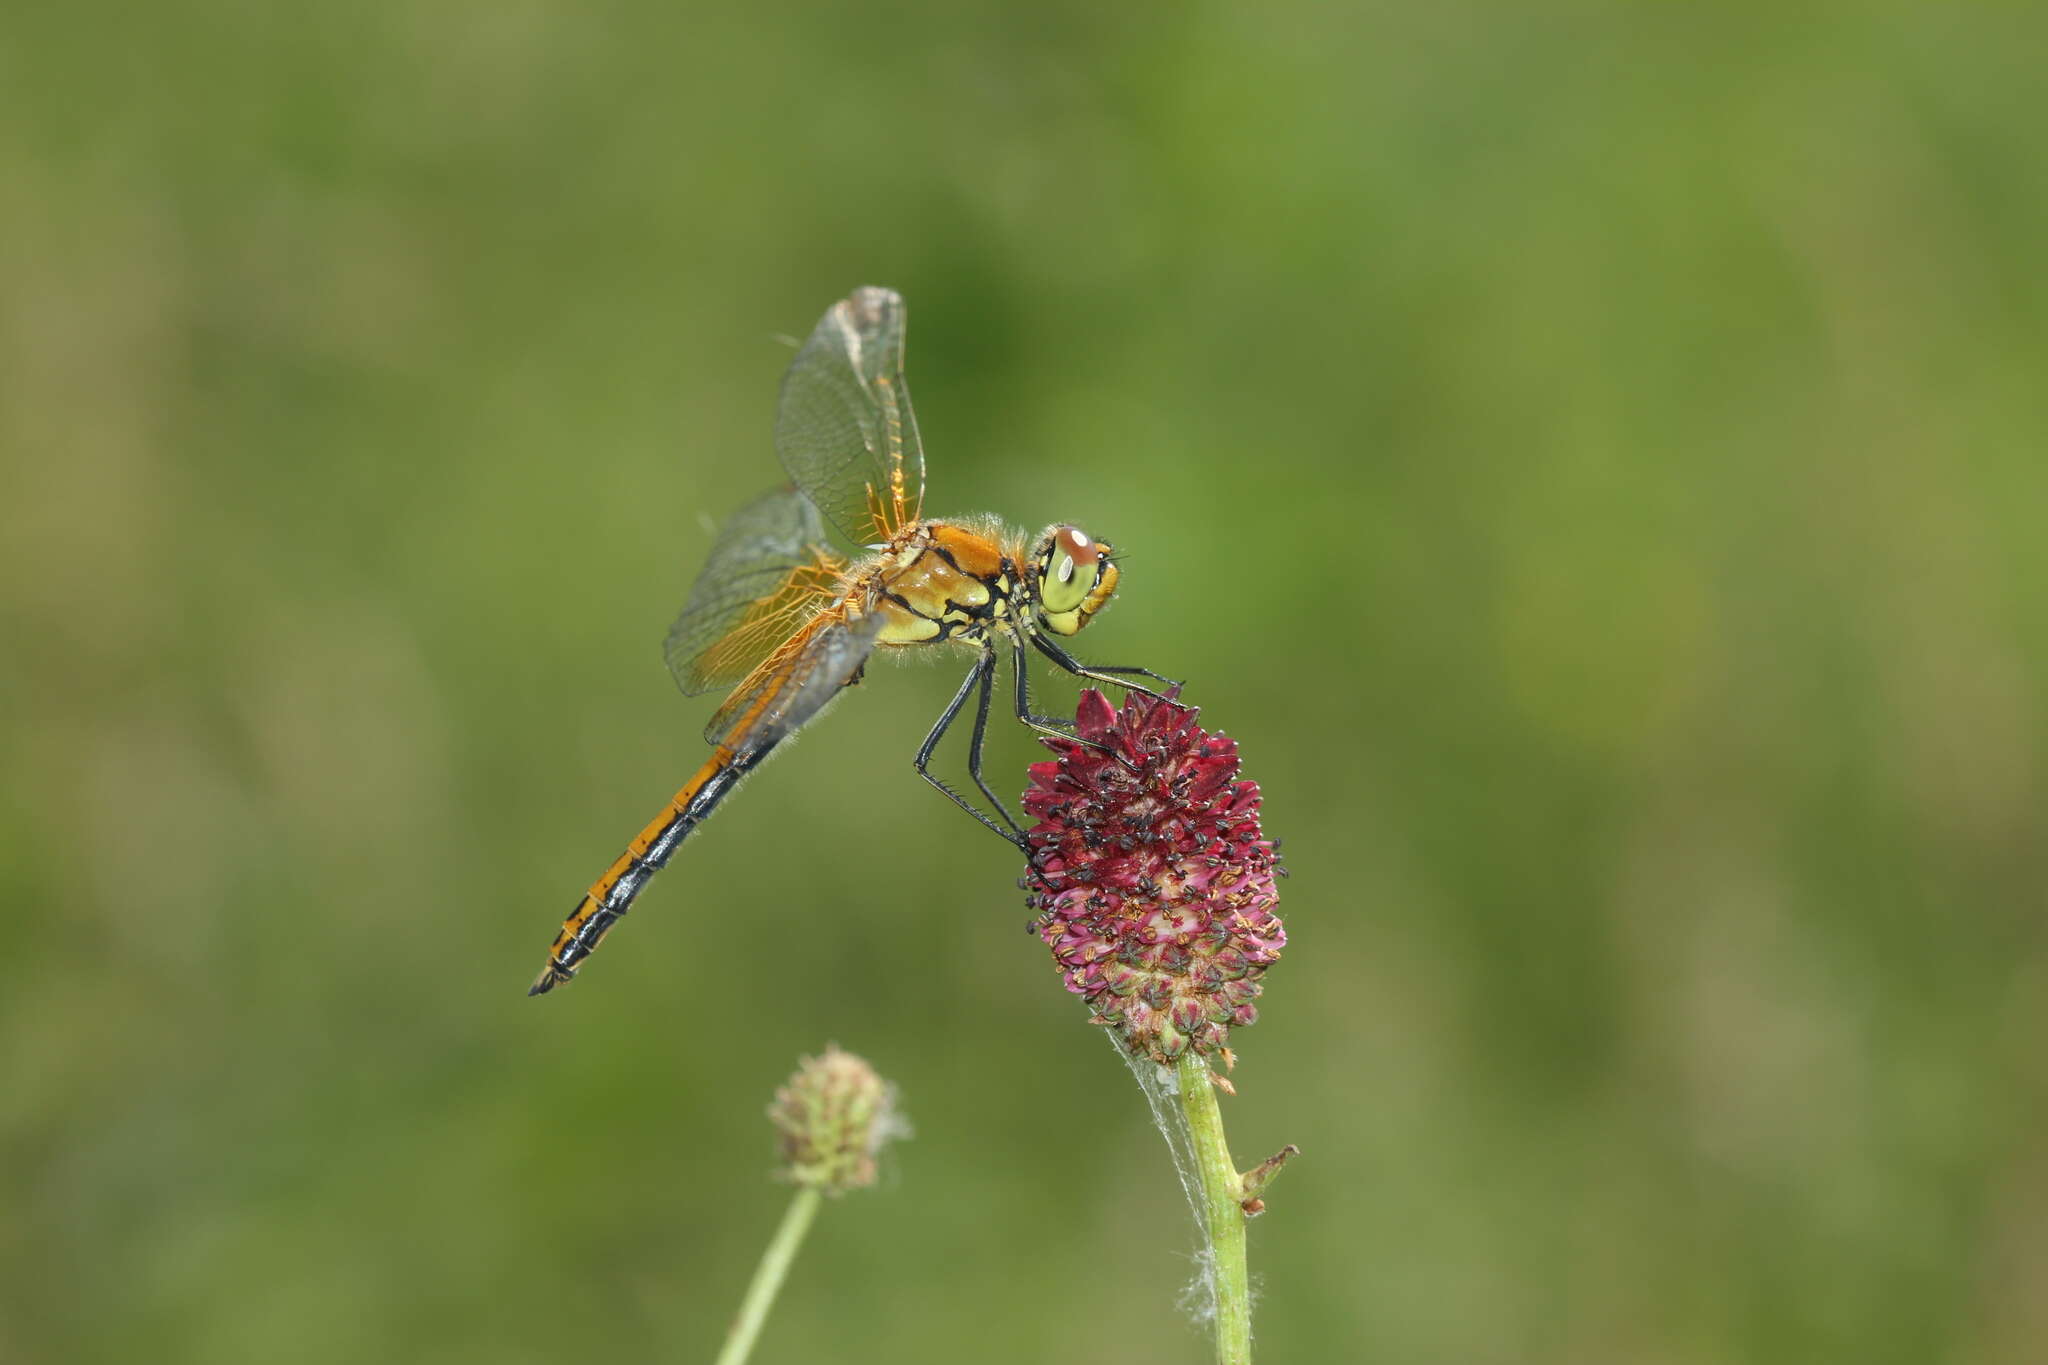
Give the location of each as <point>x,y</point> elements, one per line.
<point>1150,875</point>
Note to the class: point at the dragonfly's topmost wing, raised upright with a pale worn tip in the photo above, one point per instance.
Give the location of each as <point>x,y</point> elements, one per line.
<point>845,427</point>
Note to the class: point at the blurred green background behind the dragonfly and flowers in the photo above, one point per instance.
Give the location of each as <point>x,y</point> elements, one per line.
<point>1592,461</point>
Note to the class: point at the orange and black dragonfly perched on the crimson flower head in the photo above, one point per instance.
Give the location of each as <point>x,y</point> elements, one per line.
<point>787,623</point>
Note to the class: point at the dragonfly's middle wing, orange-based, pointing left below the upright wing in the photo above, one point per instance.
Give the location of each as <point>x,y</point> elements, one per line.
<point>767,576</point>
